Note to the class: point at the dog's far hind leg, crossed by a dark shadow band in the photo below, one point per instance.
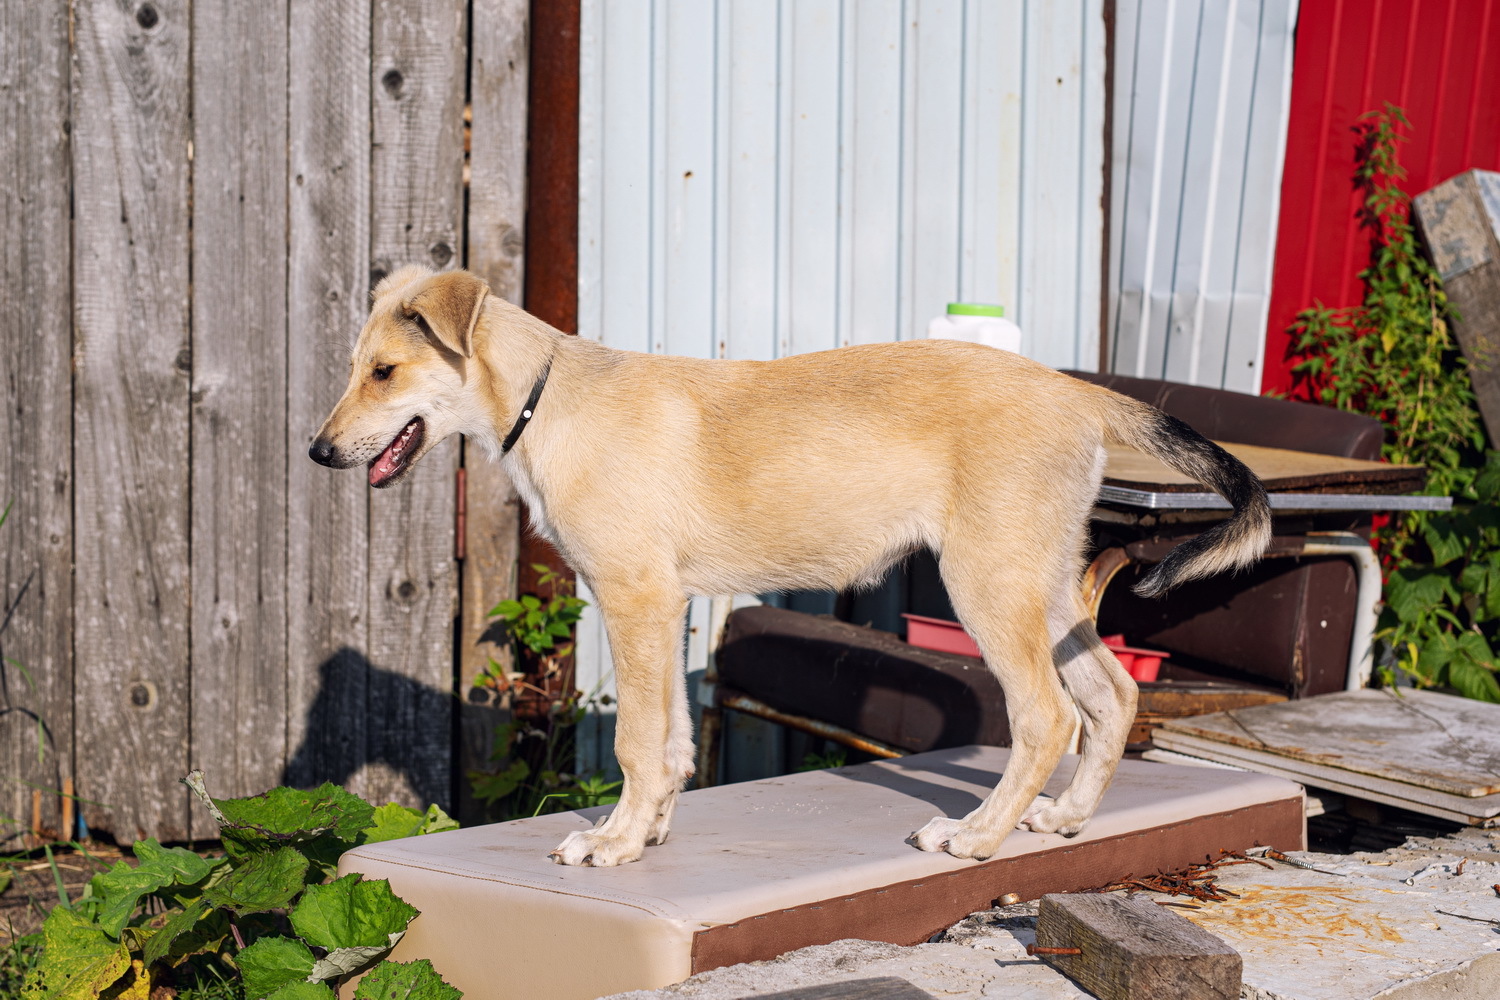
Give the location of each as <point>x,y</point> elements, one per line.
<point>1106,698</point>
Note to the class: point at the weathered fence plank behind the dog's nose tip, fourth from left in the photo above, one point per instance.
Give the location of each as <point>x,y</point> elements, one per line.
<point>328,296</point>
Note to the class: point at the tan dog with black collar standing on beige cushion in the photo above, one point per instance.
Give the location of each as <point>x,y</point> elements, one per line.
<point>665,478</point>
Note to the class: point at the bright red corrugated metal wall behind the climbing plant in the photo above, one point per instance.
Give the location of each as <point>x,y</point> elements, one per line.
<point>1436,59</point>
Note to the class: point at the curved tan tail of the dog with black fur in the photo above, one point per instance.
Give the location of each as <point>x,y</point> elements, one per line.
<point>1229,545</point>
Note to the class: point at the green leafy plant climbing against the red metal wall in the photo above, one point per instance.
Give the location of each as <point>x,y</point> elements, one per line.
<point>1393,358</point>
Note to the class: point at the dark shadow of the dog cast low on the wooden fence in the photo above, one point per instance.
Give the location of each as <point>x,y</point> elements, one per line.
<point>367,716</point>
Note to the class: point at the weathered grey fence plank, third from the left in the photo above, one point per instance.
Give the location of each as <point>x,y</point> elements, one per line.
<point>239,400</point>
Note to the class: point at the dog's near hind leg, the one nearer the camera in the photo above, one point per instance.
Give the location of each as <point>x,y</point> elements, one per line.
<point>1004,606</point>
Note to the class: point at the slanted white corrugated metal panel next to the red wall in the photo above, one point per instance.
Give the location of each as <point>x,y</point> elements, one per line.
<point>1202,94</point>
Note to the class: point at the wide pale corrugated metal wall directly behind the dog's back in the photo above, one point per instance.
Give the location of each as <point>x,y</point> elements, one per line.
<point>767,178</point>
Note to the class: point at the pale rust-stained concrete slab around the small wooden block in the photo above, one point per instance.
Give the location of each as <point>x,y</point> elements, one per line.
<point>1366,926</point>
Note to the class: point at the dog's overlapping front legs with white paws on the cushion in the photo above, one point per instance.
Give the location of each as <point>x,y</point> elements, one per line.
<point>646,638</point>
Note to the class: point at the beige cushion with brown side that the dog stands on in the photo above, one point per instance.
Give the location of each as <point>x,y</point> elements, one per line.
<point>760,869</point>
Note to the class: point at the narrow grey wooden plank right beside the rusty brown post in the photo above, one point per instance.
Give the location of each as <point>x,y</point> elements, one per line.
<point>497,209</point>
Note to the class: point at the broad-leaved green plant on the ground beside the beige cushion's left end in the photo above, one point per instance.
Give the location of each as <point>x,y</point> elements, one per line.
<point>269,920</point>
